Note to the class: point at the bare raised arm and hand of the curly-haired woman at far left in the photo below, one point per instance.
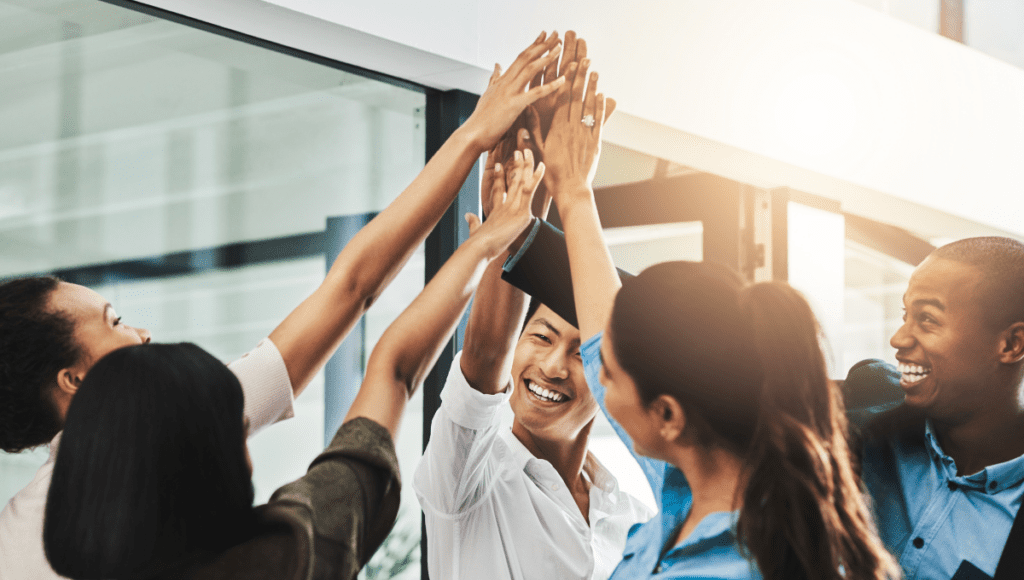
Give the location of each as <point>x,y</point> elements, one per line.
<point>312,333</point>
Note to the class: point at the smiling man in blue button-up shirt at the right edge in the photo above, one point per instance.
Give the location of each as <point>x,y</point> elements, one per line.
<point>947,469</point>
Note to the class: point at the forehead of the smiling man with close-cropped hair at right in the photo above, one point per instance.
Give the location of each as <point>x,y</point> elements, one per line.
<point>956,285</point>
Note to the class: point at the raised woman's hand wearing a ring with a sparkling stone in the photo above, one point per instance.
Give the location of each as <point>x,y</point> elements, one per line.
<point>573,147</point>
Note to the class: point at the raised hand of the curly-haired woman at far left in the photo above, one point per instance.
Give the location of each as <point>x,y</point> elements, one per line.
<point>507,97</point>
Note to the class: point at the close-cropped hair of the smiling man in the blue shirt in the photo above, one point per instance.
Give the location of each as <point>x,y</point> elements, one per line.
<point>1001,262</point>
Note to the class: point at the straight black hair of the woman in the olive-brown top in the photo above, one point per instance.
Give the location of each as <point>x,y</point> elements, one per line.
<point>152,466</point>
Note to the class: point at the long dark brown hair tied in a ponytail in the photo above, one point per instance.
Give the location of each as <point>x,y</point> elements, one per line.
<point>745,363</point>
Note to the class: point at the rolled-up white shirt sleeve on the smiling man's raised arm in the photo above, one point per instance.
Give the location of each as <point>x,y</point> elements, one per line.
<point>455,472</point>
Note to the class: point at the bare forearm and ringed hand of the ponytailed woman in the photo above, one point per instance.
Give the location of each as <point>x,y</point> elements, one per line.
<point>572,150</point>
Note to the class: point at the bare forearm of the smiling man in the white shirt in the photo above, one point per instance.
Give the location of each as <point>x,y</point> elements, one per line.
<point>491,336</point>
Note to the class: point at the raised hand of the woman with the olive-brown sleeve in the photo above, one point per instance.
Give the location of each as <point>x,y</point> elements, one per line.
<point>510,203</point>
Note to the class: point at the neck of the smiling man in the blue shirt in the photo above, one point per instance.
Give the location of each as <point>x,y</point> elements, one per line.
<point>992,436</point>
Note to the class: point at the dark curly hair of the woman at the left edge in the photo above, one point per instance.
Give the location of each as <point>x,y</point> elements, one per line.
<point>35,345</point>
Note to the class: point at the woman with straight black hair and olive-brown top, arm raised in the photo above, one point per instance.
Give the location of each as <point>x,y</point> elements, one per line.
<point>153,479</point>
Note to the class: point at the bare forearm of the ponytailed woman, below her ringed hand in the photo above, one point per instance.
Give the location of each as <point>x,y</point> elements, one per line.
<point>595,281</point>
